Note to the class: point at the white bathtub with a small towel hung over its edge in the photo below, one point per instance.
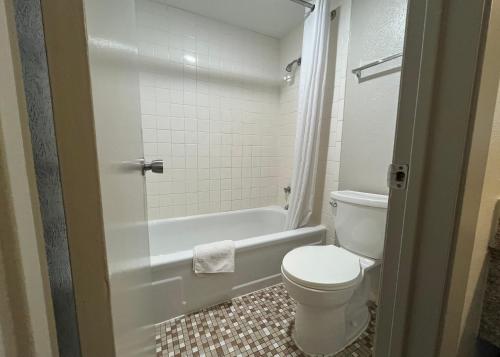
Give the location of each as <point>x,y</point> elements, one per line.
<point>260,244</point>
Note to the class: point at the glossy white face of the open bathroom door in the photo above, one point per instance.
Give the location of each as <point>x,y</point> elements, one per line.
<point>115,91</point>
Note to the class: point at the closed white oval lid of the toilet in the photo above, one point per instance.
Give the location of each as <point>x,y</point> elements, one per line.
<point>322,267</point>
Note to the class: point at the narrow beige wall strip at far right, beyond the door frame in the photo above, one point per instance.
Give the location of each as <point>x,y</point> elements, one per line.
<point>481,192</point>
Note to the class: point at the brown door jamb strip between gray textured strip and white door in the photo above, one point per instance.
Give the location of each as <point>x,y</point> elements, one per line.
<point>73,115</point>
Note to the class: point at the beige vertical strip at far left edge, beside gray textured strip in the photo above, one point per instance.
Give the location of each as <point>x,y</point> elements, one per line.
<point>27,325</point>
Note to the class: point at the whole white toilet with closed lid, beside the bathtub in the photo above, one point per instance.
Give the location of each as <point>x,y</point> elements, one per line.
<point>331,284</point>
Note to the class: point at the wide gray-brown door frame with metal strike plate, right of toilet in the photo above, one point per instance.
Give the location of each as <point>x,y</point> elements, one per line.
<point>443,49</point>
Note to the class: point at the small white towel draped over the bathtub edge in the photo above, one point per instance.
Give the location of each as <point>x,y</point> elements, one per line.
<point>215,257</point>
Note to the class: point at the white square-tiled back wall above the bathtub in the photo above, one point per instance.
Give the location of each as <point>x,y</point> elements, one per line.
<point>210,102</point>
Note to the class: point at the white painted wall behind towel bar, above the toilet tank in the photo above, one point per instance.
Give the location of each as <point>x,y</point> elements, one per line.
<point>377,31</point>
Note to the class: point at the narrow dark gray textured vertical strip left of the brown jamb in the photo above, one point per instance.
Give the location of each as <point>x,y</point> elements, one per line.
<point>38,98</point>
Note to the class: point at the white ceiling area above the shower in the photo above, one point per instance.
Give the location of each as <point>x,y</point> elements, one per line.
<point>274,18</point>
